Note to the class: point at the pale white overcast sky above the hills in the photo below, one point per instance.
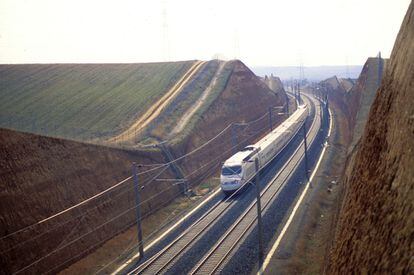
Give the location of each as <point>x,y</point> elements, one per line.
<point>260,32</point>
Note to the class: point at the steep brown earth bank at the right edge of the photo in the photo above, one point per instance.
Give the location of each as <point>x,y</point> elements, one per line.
<point>376,228</point>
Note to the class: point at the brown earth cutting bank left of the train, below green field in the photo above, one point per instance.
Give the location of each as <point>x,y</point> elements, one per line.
<point>41,176</point>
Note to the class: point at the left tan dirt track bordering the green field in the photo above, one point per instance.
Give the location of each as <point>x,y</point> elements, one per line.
<point>157,107</point>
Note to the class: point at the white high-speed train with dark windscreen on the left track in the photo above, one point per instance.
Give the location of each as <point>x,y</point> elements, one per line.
<point>240,168</point>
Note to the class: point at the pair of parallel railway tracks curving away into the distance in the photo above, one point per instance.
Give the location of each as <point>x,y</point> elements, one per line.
<point>210,263</point>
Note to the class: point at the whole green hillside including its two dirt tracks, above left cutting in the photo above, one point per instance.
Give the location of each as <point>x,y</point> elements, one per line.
<point>112,104</point>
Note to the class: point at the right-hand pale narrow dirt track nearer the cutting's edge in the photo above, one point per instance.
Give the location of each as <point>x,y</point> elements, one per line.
<point>190,112</point>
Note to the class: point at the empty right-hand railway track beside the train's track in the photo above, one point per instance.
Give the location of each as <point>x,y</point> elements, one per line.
<point>213,260</point>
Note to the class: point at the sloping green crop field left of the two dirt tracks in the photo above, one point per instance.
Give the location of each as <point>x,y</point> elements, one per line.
<point>81,101</point>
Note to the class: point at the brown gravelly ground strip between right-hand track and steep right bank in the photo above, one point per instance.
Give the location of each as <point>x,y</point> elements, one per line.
<point>305,247</point>
